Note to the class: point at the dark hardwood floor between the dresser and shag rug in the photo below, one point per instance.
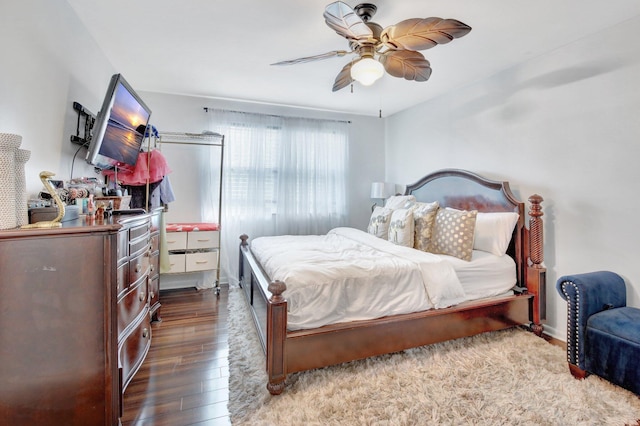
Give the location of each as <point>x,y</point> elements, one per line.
<point>184,379</point>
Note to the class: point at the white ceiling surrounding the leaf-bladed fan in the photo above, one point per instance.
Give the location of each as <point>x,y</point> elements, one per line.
<point>223,48</point>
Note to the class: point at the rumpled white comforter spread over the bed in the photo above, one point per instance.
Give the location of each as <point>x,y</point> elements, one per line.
<point>350,275</point>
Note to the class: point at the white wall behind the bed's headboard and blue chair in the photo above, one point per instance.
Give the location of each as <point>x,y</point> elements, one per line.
<point>564,125</point>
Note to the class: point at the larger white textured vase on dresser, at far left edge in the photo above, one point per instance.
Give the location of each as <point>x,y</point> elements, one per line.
<point>9,143</point>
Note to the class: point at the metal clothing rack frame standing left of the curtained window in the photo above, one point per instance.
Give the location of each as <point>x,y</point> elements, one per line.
<point>202,139</point>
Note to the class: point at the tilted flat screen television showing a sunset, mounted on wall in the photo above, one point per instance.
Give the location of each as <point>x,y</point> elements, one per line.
<point>119,128</point>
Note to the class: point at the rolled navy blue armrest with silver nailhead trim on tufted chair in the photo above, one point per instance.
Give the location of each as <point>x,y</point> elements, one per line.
<point>587,294</point>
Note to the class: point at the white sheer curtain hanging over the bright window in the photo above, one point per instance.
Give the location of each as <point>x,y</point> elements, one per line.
<point>282,175</point>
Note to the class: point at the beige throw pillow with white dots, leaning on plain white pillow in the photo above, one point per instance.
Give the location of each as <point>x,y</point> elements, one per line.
<point>453,233</point>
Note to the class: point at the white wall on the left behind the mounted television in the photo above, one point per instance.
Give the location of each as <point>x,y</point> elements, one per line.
<point>48,62</point>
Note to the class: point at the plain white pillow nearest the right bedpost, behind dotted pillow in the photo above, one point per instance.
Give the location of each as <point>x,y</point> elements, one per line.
<point>493,231</point>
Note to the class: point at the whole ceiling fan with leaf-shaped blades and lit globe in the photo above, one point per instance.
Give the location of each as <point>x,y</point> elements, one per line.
<point>392,49</point>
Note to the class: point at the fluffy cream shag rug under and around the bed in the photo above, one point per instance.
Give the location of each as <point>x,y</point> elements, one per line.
<point>500,378</point>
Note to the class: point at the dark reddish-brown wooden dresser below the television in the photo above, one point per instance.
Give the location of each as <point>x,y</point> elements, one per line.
<point>75,318</point>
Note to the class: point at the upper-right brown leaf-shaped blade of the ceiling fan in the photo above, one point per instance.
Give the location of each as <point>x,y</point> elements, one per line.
<point>421,34</point>
